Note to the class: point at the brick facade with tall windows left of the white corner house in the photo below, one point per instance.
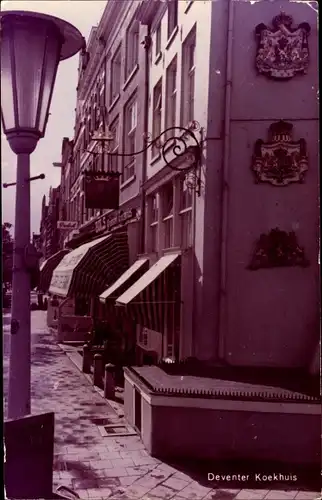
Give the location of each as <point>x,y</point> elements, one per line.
<point>109,99</point>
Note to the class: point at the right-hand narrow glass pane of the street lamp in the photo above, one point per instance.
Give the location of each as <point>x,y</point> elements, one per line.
<point>53,48</point>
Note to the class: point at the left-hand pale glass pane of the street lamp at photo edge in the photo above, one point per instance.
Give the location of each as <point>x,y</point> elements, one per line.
<point>7,102</point>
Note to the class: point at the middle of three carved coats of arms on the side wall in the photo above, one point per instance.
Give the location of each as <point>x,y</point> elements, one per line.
<point>280,161</point>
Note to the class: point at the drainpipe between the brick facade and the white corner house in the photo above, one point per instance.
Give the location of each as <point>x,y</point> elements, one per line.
<point>146,44</point>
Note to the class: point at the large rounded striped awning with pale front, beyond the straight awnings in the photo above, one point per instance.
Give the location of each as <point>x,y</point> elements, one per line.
<point>92,267</point>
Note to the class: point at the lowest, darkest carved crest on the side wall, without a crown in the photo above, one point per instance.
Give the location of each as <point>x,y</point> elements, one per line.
<point>277,249</point>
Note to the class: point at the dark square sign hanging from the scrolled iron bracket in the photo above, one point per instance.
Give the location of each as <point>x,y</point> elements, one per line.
<point>101,192</point>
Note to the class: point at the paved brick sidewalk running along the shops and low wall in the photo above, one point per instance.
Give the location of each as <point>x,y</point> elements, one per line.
<point>110,467</point>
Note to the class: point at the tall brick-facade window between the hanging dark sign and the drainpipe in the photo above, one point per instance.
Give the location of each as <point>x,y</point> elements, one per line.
<point>130,121</point>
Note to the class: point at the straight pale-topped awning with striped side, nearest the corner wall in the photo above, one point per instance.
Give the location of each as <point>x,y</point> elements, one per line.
<point>148,300</point>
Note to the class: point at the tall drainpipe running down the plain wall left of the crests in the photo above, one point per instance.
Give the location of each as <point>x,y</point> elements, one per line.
<point>225,181</point>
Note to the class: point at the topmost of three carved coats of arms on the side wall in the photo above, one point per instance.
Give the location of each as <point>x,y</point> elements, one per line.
<point>282,51</point>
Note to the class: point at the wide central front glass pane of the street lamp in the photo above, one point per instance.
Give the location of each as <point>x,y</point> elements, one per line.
<point>29,49</point>
